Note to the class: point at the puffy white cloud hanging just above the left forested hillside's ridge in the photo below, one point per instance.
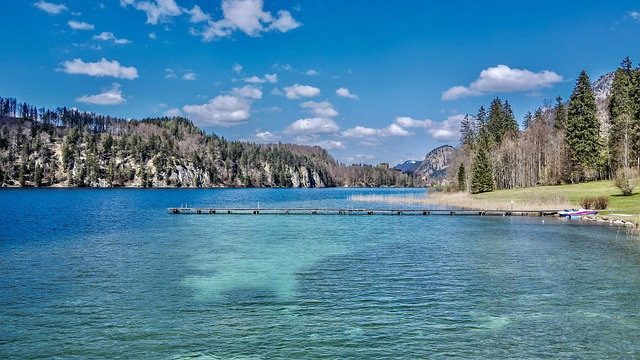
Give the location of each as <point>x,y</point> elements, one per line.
<point>223,110</point>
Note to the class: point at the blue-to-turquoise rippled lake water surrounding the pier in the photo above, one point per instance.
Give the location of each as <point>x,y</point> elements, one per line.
<point>110,274</point>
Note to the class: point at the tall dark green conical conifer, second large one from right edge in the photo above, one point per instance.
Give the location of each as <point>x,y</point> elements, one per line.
<point>583,129</point>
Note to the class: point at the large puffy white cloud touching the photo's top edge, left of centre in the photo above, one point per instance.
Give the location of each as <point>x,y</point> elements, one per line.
<point>249,17</point>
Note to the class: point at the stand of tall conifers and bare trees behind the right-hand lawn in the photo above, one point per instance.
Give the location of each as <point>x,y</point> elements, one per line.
<point>562,142</point>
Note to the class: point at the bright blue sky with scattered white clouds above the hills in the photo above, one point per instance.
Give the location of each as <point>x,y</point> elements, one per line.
<point>371,81</point>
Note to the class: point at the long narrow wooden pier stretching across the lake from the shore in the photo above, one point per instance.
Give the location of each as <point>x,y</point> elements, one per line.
<point>396,212</point>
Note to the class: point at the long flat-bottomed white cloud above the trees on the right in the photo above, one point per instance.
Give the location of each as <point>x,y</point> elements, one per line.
<point>504,79</point>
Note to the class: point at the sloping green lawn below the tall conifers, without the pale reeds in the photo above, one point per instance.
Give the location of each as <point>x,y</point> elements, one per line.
<point>618,204</point>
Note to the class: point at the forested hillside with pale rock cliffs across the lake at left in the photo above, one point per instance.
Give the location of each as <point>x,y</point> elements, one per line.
<point>66,147</point>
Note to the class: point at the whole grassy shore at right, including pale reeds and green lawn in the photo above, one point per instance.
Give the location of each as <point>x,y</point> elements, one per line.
<point>625,208</point>
